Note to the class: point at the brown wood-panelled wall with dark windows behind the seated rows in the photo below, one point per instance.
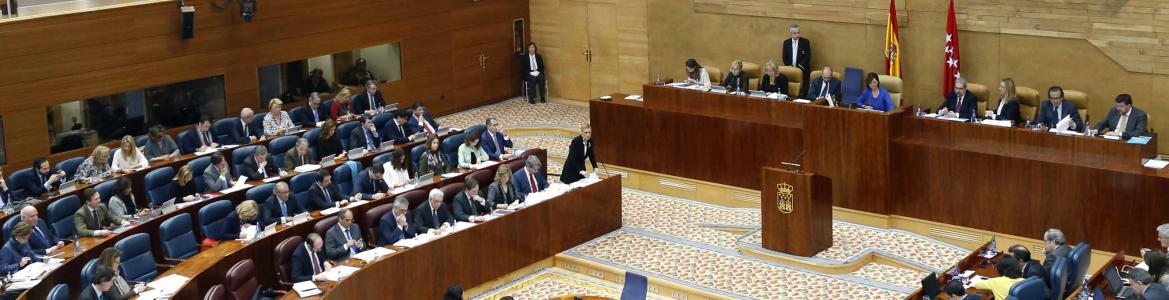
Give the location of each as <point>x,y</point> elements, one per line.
<point>135,47</point>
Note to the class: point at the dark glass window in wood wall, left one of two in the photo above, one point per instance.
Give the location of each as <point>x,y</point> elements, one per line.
<point>101,120</point>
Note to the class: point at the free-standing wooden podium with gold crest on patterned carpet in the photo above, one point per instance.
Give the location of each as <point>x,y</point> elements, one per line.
<point>798,212</point>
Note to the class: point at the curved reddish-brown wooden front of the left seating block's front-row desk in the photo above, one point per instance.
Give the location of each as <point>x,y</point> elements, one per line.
<point>489,250</point>
